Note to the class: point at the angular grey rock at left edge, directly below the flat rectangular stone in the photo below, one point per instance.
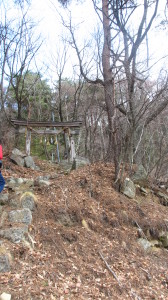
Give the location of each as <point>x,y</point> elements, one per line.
<point>14,234</point>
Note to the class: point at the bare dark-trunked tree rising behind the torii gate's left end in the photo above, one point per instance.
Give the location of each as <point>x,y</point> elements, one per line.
<point>25,47</point>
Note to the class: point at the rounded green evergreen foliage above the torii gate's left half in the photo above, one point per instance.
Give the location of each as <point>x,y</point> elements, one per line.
<point>32,95</point>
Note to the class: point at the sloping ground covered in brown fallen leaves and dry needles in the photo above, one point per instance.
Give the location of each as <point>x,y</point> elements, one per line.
<point>85,237</point>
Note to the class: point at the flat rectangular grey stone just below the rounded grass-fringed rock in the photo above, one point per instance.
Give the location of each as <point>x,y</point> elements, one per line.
<point>20,216</point>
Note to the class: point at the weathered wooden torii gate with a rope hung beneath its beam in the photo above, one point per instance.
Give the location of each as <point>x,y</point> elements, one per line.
<point>69,128</point>
